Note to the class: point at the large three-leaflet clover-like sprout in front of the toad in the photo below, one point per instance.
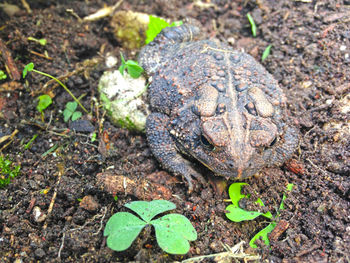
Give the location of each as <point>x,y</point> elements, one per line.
<point>173,231</point>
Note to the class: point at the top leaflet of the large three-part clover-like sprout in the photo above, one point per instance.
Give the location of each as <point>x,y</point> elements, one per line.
<point>148,210</point>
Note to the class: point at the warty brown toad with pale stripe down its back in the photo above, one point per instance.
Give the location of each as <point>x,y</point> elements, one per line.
<point>215,104</point>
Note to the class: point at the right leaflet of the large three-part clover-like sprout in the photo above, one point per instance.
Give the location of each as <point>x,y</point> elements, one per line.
<point>173,232</point>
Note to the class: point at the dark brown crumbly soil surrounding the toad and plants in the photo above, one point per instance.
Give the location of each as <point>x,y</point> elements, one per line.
<point>56,209</point>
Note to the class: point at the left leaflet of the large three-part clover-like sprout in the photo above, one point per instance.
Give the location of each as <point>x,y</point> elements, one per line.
<point>122,229</point>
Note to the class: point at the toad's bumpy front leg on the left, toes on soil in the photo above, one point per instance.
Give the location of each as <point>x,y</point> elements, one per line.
<point>164,149</point>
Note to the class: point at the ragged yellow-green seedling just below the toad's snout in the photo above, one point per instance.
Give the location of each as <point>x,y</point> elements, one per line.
<point>237,214</point>
